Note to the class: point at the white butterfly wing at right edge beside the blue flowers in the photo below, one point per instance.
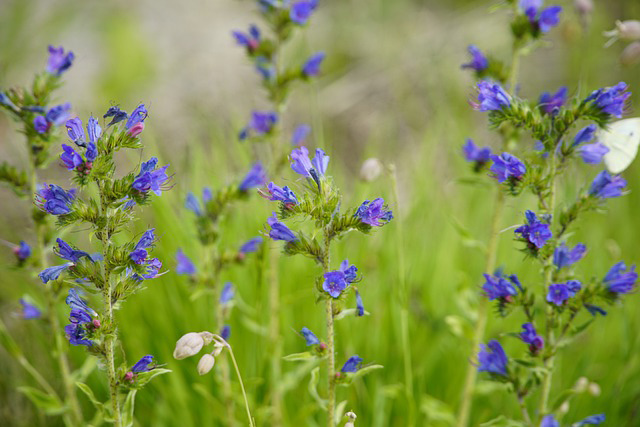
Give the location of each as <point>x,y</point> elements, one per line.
<point>622,138</point>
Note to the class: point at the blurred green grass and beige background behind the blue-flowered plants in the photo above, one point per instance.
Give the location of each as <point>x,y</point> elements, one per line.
<point>392,88</point>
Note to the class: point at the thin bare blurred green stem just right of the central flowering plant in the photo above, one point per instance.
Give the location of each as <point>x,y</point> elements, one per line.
<point>403,293</point>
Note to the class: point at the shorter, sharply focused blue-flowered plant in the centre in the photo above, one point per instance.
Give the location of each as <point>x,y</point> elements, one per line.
<point>321,220</point>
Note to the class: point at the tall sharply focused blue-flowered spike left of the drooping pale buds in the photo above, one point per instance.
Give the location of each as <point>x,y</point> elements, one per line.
<point>122,266</point>
